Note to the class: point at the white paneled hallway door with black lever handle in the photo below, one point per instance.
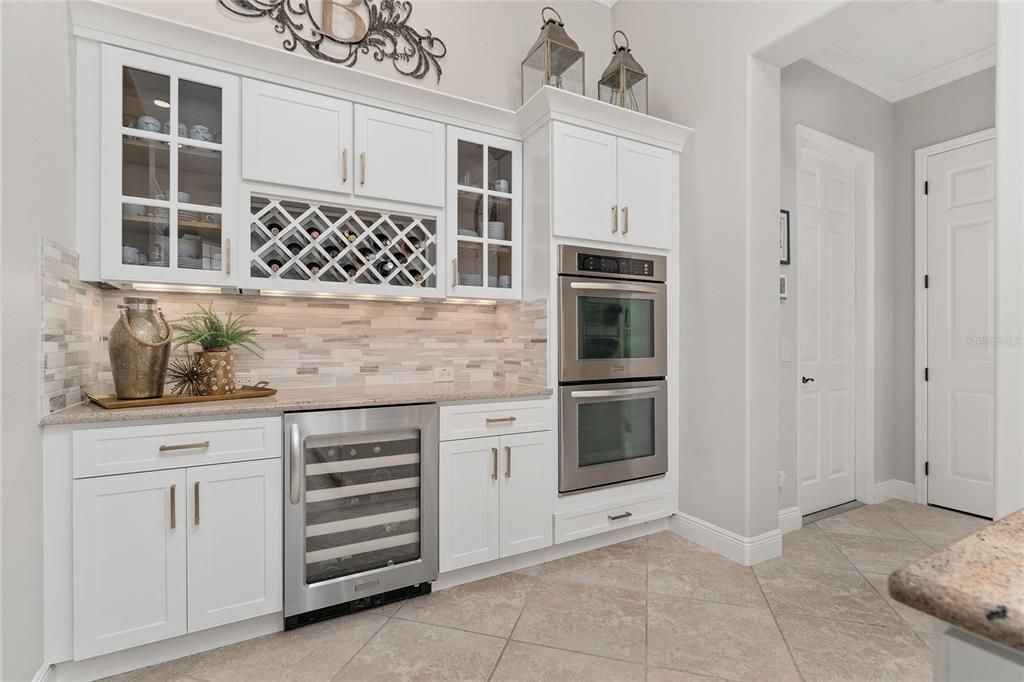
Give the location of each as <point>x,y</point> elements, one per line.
<point>826,262</point>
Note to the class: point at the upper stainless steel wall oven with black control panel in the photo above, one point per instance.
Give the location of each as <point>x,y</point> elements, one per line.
<point>612,316</point>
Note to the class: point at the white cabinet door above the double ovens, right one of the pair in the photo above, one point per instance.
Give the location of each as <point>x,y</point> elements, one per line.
<point>647,194</point>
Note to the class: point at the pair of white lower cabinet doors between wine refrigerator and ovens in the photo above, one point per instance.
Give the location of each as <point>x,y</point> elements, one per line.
<point>497,497</point>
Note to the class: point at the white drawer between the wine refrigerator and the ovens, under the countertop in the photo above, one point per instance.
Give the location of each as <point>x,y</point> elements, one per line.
<point>485,419</point>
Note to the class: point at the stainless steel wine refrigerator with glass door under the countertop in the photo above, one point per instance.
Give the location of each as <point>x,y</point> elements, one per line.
<point>361,514</point>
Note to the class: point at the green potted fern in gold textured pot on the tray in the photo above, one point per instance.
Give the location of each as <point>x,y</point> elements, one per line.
<point>217,336</point>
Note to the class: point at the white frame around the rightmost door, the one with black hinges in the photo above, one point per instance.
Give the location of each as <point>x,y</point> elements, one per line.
<point>921,301</point>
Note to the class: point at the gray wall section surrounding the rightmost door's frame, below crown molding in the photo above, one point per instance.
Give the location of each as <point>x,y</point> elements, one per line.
<point>961,108</point>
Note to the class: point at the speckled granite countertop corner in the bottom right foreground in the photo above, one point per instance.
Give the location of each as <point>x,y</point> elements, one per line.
<point>976,584</point>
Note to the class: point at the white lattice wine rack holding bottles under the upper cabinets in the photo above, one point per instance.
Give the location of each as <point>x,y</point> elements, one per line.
<point>293,241</point>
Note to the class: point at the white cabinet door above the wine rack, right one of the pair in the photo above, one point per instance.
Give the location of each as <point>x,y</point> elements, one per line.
<point>399,157</point>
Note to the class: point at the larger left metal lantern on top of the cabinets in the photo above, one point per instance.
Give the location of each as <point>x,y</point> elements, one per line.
<point>554,60</point>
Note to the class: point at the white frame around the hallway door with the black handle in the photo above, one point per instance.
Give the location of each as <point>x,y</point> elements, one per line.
<point>864,161</point>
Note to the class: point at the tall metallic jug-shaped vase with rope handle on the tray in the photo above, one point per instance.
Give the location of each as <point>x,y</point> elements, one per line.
<point>140,347</point>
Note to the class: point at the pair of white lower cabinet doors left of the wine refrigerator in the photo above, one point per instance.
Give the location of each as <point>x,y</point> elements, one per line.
<point>164,553</point>
